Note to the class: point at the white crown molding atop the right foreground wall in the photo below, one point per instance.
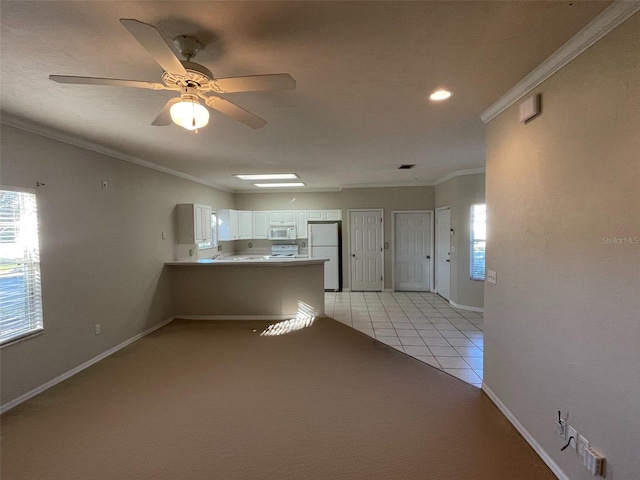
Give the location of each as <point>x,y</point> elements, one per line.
<point>617,13</point>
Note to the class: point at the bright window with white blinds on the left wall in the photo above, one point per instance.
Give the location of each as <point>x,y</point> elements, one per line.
<point>20,294</point>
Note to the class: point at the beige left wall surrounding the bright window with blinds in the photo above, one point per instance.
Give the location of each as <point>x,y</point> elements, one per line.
<point>102,252</point>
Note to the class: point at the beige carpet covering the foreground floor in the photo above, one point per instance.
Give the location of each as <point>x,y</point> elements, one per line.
<point>215,400</point>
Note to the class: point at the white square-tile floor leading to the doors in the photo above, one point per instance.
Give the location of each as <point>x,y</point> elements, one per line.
<point>420,324</point>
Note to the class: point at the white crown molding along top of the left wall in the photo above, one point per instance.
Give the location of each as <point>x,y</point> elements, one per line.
<point>54,134</point>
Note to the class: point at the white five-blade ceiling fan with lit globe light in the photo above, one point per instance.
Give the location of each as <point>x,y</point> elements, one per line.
<point>192,80</point>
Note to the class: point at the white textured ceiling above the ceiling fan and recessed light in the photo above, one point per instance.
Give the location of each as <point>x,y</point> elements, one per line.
<point>363,71</point>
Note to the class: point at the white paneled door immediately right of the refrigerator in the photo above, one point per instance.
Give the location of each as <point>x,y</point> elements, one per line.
<point>366,251</point>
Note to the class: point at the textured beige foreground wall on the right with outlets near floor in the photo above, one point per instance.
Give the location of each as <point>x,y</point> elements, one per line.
<point>562,325</point>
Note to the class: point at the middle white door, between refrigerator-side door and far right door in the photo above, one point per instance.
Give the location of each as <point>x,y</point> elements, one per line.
<point>412,245</point>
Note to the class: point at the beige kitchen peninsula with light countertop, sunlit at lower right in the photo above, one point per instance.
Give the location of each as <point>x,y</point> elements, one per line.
<point>248,287</point>
